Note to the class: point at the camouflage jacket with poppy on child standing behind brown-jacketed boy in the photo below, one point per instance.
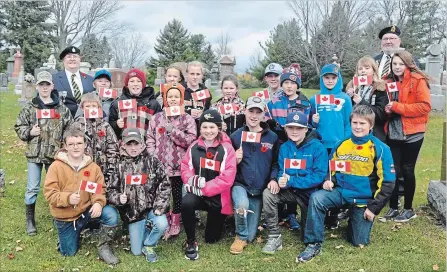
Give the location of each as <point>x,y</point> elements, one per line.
<point>101,144</point>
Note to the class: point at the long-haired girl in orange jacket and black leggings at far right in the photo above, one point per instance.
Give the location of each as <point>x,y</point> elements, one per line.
<point>408,112</point>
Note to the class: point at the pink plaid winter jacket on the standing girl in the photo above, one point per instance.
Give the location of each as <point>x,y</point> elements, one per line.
<point>170,147</point>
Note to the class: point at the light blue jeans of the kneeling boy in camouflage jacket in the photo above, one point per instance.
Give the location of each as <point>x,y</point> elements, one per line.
<point>140,235</point>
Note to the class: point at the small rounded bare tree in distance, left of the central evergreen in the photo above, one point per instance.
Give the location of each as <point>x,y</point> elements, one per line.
<point>131,51</point>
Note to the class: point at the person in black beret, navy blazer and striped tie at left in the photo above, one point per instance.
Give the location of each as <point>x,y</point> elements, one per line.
<point>71,83</point>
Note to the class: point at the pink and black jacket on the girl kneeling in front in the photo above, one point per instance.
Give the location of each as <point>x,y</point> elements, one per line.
<point>217,182</point>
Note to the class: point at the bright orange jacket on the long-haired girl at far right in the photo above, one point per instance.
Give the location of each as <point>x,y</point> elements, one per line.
<point>414,103</point>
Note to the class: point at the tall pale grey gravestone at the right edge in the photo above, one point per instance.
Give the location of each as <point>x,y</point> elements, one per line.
<point>433,68</point>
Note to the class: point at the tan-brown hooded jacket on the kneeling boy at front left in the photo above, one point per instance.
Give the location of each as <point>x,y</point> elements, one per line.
<point>62,180</point>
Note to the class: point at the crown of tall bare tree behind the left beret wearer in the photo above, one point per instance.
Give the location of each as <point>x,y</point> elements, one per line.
<point>75,19</point>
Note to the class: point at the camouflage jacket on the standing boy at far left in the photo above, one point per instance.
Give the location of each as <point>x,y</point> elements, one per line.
<point>42,148</point>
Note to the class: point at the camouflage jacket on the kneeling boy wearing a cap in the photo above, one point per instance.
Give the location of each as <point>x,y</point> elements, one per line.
<point>154,195</point>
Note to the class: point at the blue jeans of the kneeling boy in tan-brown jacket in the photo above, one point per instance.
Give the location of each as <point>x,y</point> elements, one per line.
<point>69,231</point>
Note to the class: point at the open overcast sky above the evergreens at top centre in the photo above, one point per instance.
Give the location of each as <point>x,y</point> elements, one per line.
<point>247,22</point>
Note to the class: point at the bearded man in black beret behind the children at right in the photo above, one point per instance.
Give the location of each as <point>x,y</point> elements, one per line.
<point>390,43</point>
